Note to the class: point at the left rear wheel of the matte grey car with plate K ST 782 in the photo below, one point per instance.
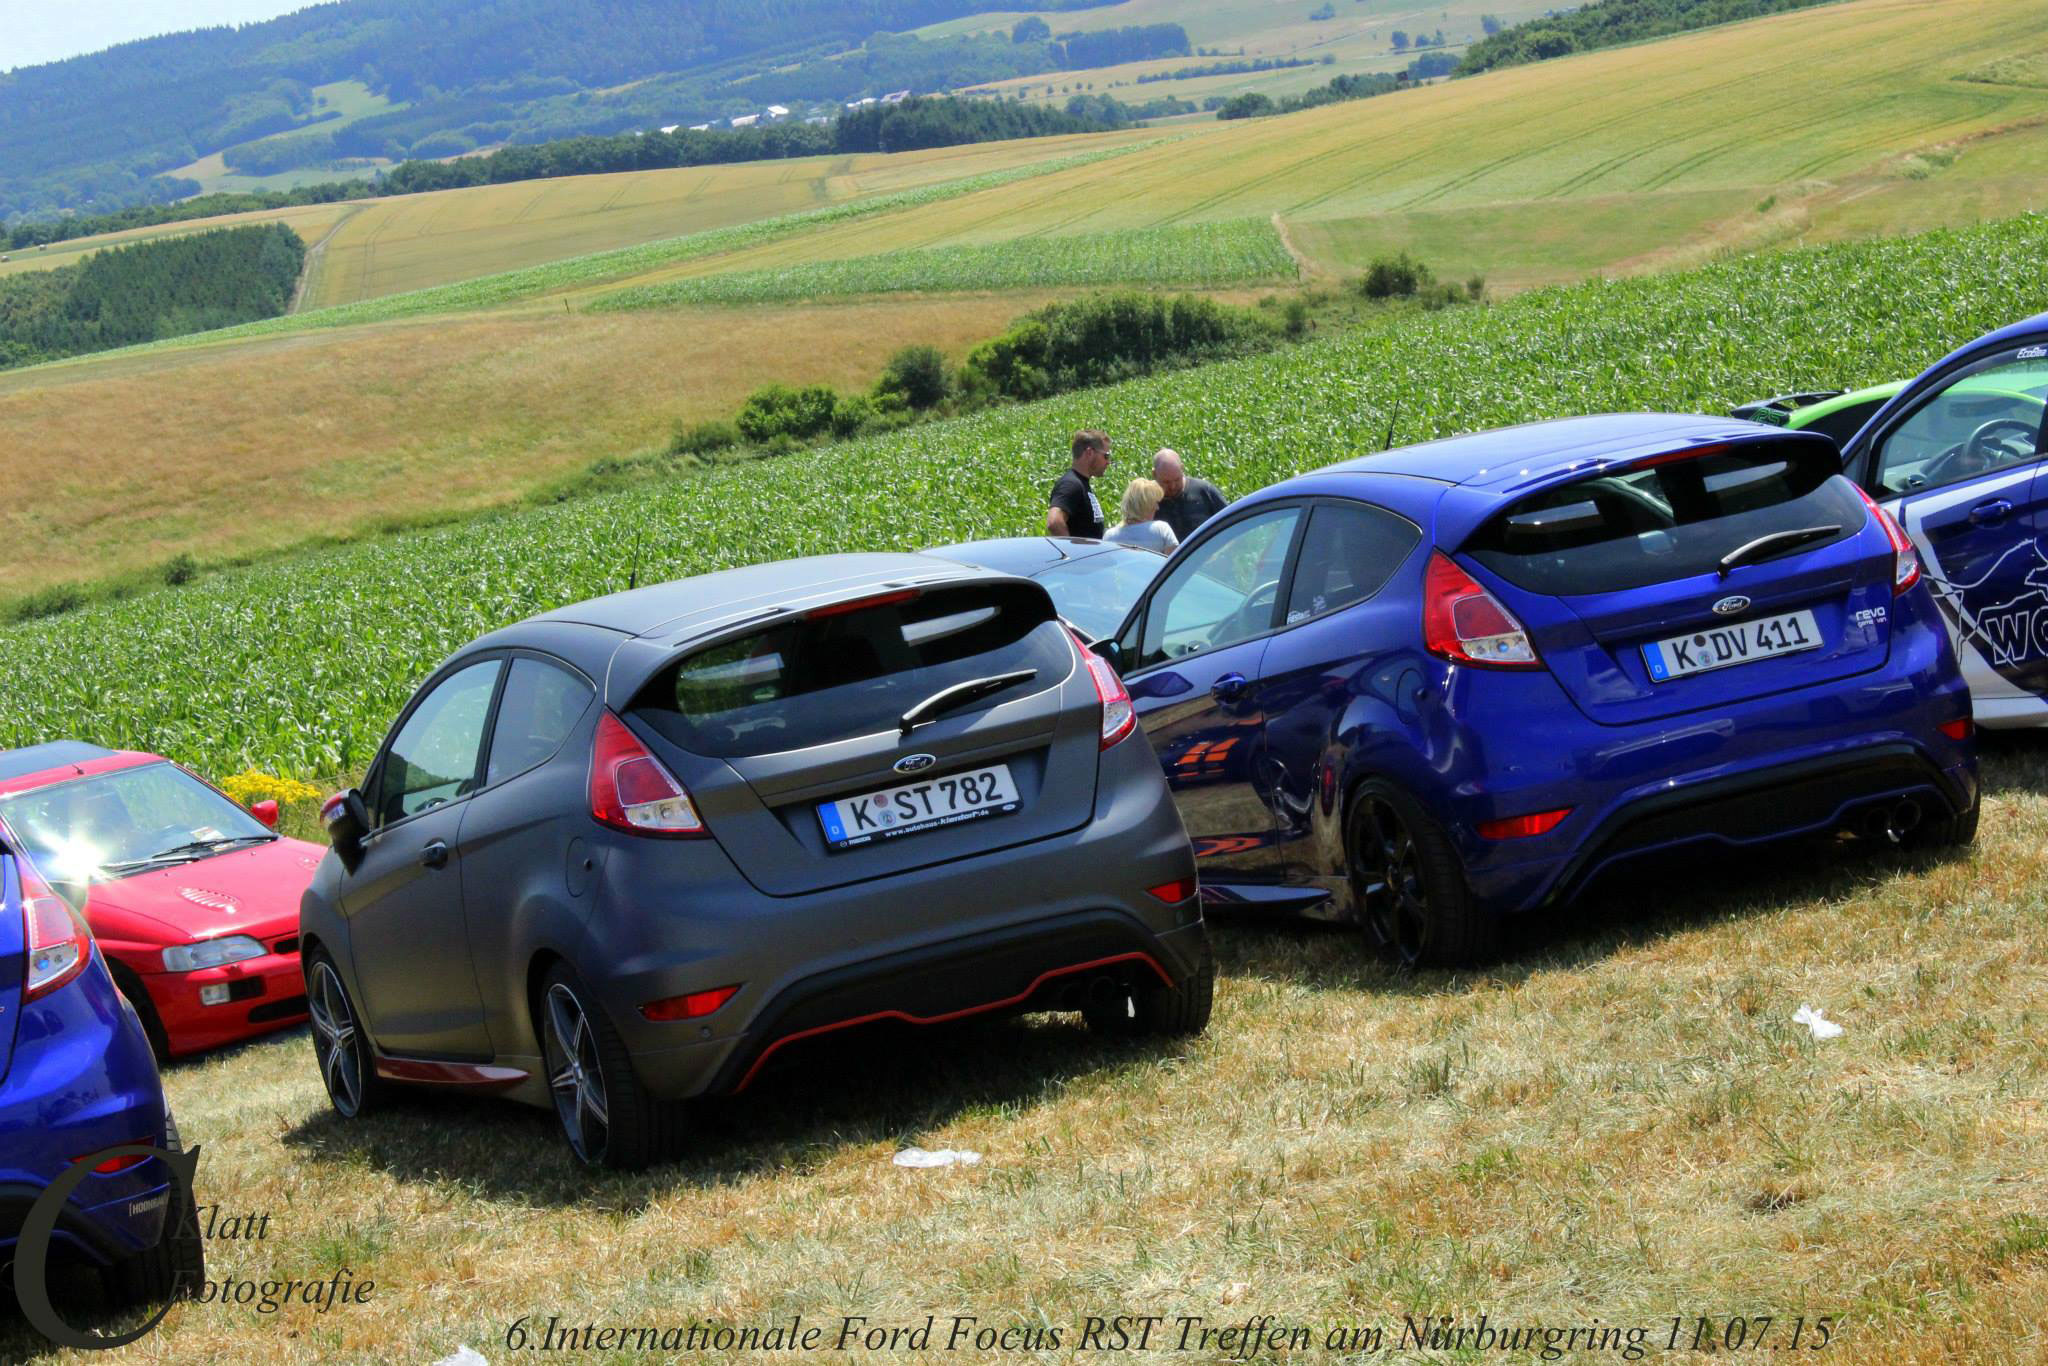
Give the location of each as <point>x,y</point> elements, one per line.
<point>607,1117</point>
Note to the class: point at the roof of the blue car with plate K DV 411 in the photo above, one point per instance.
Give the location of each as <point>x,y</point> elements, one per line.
<point>1517,458</point>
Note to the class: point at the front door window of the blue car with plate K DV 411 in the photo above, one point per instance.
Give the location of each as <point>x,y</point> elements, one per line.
<point>1224,593</point>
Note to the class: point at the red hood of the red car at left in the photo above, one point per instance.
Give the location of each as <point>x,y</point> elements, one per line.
<point>243,892</point>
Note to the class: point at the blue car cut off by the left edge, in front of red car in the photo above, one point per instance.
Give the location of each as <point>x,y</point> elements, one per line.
<point>77,1078</point>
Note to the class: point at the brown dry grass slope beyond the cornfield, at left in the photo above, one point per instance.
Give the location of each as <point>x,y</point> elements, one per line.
<point>280,441</point>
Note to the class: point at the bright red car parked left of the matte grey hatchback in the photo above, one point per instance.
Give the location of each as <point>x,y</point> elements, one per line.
<point>194,900</point>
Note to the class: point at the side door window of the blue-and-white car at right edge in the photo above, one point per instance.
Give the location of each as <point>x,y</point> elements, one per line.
<point>1983,421</point>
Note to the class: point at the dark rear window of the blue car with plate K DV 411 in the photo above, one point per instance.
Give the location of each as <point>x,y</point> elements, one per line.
<point>1668,521</point>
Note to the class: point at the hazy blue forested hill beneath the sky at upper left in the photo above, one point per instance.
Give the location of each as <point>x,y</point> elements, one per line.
<point>101,130</point>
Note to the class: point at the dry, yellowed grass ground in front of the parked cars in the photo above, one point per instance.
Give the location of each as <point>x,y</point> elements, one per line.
<point>1619,1125</point>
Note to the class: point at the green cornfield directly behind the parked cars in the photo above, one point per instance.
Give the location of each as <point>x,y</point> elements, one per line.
<point>300,667</point>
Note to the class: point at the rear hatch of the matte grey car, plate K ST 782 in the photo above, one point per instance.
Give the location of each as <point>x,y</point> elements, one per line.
<point>769,726</point>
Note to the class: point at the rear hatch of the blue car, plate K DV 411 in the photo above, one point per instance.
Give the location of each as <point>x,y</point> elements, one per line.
<point>1697,579</point>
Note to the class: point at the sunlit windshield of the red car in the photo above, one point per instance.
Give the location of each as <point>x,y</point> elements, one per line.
<point>126,822</point>
